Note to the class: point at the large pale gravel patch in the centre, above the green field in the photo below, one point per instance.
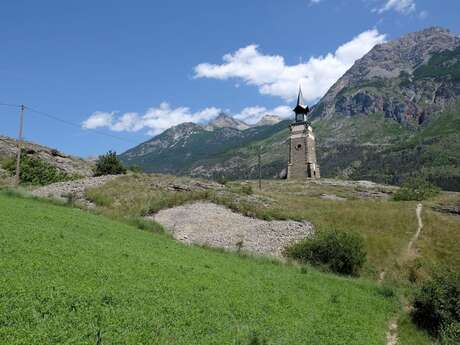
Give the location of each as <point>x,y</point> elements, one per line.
<point>217,226</point>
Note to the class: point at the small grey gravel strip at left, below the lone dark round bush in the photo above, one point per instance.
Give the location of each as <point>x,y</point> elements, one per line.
<point>76,188</point>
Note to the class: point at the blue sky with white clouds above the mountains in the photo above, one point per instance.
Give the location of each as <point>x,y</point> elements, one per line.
<point>132,69</point>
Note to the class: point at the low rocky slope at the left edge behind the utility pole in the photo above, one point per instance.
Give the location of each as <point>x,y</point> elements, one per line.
<point>69,164</point>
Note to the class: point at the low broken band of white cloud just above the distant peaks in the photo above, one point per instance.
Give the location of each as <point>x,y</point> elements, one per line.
<point>157,119</point>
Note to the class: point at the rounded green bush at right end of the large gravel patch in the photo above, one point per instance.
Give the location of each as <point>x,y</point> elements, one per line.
<point>340,252</point>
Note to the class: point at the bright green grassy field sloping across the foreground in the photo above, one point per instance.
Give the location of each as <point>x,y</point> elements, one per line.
<point>68,276</point>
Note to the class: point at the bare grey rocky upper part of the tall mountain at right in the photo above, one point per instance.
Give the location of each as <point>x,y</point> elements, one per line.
<point>387,80</point>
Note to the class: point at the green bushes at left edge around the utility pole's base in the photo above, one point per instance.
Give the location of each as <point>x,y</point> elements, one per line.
<point>36,171</point>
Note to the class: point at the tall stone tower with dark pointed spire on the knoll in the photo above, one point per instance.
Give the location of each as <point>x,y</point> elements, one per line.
<point>302,148</point>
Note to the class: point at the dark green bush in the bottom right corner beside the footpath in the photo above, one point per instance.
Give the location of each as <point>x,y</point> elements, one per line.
<point>437,304</point>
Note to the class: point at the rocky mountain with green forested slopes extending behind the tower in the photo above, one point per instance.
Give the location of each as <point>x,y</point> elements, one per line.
<point>396,112</point>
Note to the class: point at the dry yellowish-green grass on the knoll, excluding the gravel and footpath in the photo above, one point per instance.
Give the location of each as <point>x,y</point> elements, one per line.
<point>386,225</point>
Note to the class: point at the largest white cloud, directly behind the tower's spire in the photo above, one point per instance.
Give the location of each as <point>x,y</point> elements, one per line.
<point>273,77</point>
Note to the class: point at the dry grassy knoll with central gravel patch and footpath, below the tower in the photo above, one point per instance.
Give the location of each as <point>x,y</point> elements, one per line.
<point>387,226</point>
